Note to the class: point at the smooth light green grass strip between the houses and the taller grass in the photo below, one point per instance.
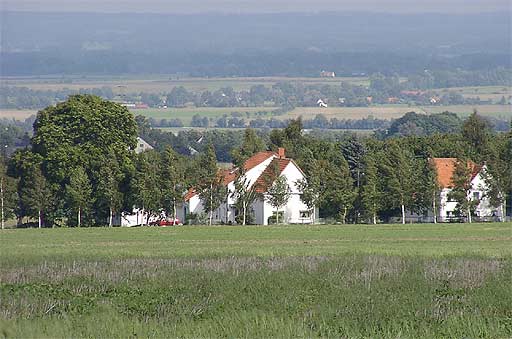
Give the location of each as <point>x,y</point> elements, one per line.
<point>36,245</point>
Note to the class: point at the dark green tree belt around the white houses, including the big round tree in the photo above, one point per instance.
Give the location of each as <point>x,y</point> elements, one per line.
<point>79,170</point>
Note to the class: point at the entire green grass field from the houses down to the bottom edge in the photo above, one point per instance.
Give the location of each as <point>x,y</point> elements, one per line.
<point>386,281</point>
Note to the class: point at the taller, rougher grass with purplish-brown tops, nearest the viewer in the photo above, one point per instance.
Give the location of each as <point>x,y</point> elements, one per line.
<point>315,296</point>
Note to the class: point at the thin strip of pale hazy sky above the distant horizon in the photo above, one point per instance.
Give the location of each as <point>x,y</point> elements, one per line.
<point>245,6</point>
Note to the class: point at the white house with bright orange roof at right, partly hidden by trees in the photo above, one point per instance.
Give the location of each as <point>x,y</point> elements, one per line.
<point>445,168</point>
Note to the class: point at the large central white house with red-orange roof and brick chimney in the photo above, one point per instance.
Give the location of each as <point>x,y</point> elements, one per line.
<point>259,171</point>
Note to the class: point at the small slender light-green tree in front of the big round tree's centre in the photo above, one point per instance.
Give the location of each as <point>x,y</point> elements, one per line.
<point>79,193</point>
